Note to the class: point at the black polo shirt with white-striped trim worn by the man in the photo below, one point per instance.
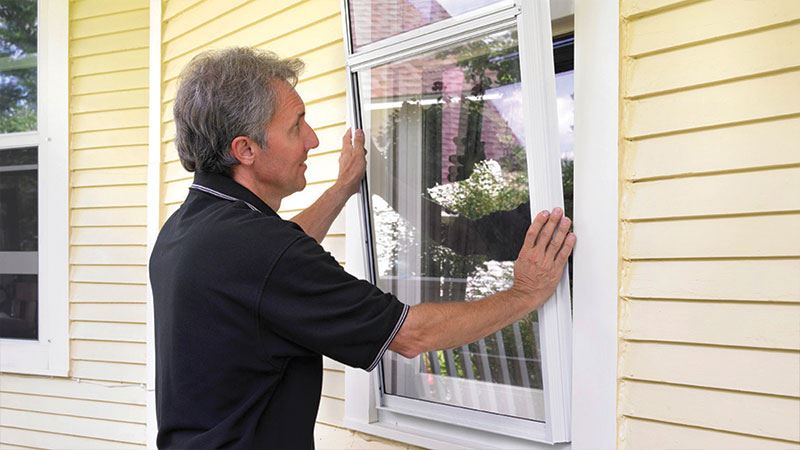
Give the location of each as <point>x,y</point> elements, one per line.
<point>245,305</point>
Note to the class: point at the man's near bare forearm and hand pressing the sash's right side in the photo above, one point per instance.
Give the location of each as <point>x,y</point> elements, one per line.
<point>537,271</point>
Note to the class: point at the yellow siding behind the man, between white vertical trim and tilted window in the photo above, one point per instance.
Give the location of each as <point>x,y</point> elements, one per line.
<point>312,31</point>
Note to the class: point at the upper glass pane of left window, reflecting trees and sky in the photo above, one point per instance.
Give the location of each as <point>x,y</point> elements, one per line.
<point>18,66</point>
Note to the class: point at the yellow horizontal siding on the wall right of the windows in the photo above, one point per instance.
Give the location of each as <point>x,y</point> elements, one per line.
<point>709,318</point>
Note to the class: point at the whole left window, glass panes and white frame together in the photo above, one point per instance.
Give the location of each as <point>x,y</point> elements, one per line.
<point>33,188</point>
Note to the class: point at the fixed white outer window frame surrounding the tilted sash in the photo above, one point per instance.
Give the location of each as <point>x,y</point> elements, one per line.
<point>594,344</point>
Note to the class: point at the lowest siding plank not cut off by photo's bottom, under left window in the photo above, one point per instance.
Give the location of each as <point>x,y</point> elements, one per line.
<point>75,426</point>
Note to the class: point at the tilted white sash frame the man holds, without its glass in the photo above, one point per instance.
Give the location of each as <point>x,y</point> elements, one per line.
<point>532,22</point>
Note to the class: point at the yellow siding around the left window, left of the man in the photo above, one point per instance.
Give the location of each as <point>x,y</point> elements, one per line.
<point>101,404</point>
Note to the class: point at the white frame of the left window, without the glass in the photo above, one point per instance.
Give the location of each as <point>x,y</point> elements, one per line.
<point>49,354</point>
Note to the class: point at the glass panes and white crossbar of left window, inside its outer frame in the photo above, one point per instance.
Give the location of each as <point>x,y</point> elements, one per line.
<point>18,166</point>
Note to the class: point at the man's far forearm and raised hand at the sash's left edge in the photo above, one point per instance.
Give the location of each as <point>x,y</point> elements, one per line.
<point>317,218</point>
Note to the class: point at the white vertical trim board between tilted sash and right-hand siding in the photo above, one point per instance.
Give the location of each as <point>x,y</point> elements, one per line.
<point>596,225</point>
